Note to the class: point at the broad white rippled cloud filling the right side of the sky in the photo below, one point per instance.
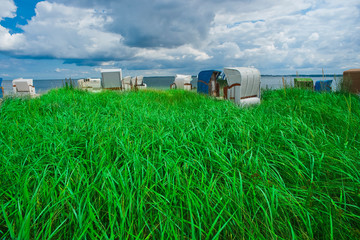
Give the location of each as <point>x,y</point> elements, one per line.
<point>287,36</point>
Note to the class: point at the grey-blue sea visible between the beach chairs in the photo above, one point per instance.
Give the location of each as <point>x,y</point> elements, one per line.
<point>164,82</point>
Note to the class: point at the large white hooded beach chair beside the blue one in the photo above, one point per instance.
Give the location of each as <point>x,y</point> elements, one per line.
<point>244,85</point>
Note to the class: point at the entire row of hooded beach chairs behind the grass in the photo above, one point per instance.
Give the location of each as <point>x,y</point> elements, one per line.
<point>243,84</point>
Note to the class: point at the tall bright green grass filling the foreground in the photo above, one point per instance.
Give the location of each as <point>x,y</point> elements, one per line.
<point>178,165</point>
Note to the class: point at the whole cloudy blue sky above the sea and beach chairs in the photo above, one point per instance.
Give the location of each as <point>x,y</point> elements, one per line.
<point>58,39</point>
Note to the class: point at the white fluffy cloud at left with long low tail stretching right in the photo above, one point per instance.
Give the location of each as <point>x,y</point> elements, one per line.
<point>65,32</point>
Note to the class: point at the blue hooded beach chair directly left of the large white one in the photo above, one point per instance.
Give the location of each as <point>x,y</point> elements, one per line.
<point>207,82</point>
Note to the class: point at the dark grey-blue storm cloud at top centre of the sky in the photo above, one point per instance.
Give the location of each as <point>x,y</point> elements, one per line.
<point>158,23</point>
